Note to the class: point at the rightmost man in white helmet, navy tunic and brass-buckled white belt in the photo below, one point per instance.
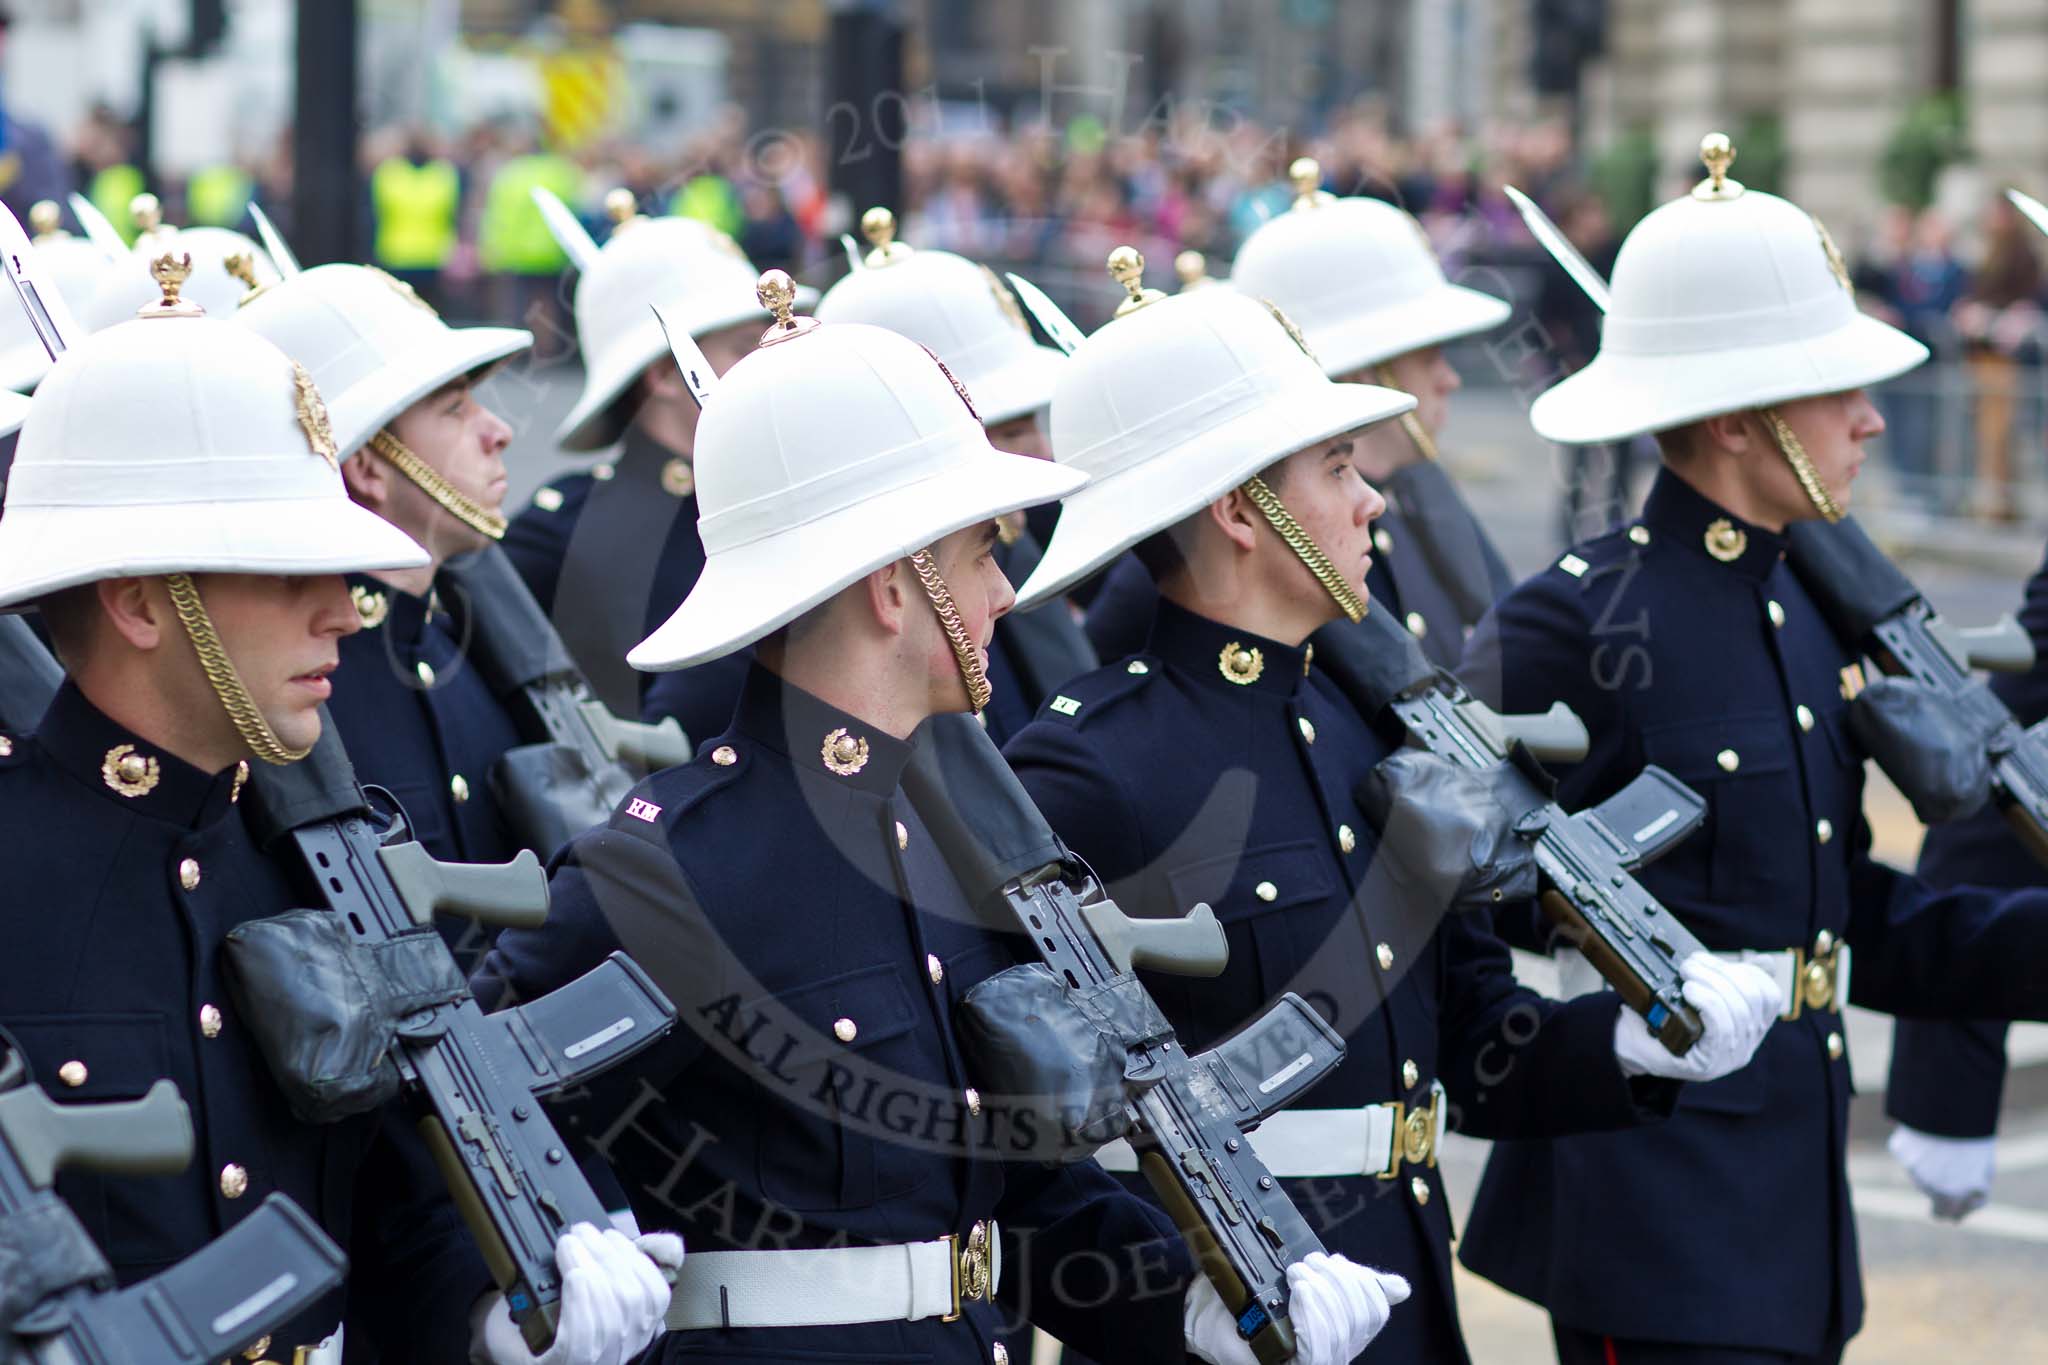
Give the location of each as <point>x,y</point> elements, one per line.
<point>1684,640</point>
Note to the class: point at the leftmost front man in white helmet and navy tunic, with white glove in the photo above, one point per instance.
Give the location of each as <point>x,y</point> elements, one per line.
<point>181,525</point>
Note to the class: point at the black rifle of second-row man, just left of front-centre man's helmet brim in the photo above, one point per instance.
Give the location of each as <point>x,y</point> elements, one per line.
<point>587,758</point>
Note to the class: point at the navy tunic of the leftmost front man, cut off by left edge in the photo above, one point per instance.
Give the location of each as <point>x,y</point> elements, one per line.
<point>114,961</point>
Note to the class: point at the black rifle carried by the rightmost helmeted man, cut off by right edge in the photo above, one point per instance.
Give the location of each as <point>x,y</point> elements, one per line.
<point>1881,613</point>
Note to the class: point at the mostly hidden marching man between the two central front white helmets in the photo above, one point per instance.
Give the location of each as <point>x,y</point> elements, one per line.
<point>968,318</point>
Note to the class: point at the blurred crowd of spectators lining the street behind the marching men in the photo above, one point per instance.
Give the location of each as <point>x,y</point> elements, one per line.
<point>452,214</point>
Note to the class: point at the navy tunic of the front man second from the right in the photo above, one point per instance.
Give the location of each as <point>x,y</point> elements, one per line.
<point>1181,787</point>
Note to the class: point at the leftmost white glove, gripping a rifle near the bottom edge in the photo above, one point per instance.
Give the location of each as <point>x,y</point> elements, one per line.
<point>613,1301</point>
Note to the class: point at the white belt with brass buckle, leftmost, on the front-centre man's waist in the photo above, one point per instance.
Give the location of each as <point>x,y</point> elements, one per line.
<point>839,1284</point>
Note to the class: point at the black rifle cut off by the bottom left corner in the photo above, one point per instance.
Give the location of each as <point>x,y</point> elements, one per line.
<point>58,1305</point>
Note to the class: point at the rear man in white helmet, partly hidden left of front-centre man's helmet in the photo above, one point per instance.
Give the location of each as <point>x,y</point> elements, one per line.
<point>613,549</point>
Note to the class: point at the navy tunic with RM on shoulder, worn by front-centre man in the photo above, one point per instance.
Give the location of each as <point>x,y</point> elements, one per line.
<point>814,1094</point>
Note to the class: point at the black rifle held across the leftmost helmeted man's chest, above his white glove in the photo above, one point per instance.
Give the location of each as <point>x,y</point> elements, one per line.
<point>474,1080</point>
